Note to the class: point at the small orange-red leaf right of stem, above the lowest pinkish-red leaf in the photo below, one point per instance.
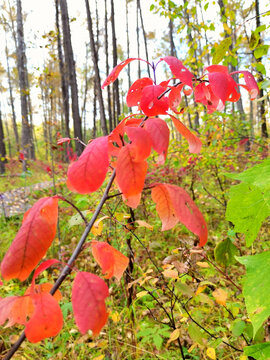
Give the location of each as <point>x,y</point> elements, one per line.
<point>112,261</point>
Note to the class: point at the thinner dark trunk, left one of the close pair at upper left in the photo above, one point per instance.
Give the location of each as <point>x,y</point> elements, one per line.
<point>63,72</point>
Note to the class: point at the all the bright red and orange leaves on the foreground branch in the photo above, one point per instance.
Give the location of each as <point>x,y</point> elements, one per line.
<point>37,309</point>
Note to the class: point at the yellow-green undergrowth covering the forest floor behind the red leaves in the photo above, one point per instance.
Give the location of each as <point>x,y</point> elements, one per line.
<point>209,312</point>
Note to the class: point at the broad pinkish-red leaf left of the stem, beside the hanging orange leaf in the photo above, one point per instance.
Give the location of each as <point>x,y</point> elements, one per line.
<point>87,174</point>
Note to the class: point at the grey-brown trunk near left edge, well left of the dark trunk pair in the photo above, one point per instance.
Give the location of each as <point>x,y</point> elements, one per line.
<point>26,142</point>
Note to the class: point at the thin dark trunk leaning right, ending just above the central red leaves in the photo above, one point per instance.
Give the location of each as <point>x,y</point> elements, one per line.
<point>96,70</point>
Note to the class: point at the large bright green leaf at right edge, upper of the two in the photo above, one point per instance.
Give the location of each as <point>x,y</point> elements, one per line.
<point>249,203</point>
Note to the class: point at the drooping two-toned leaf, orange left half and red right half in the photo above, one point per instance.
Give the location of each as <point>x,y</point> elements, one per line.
<point>173,205</point>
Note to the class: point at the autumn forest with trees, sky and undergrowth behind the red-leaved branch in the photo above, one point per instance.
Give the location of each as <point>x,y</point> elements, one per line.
<point>174,300</point>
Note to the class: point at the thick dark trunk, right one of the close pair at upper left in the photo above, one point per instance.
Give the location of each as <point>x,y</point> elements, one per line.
<point>69,59</point>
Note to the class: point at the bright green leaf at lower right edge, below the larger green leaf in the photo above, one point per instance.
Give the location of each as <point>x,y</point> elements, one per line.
<point>256,288</point>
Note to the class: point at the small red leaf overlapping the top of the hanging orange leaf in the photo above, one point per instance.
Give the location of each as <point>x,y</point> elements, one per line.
<point>140,143</point>
